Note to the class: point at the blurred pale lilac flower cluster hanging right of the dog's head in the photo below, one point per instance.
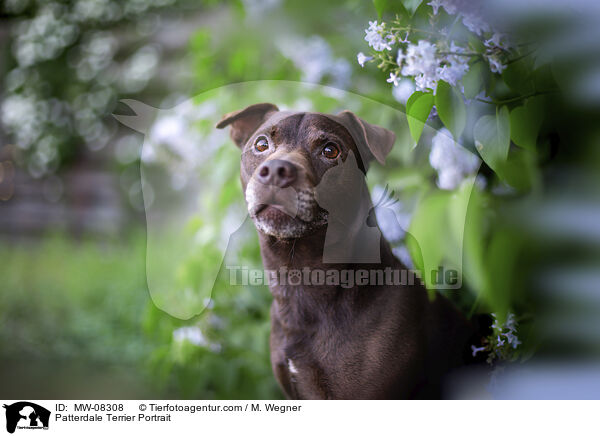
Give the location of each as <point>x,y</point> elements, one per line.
<point>452,162</point>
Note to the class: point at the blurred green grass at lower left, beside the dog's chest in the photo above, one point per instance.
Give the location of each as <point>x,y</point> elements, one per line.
<point>77,321</point>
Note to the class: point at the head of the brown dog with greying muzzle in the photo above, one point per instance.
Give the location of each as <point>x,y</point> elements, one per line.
<point>285,156</point>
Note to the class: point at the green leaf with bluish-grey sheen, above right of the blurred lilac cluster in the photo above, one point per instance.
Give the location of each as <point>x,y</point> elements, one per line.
<point>492,138</point>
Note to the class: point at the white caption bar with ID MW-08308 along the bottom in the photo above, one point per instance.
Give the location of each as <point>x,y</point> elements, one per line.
<point>285,418</point>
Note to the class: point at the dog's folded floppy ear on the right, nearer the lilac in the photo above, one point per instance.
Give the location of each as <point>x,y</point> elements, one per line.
<point>372,141</point>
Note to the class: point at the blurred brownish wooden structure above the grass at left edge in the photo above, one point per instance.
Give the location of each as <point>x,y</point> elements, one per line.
<point>85,199</point>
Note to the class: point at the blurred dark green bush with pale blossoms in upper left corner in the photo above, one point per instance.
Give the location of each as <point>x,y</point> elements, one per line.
<point>67,63</point>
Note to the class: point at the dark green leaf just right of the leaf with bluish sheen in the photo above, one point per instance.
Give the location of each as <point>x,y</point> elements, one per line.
<point>525,123</point>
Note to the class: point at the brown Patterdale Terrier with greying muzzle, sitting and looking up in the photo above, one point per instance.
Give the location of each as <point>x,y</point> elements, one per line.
<point>331,340</point>
